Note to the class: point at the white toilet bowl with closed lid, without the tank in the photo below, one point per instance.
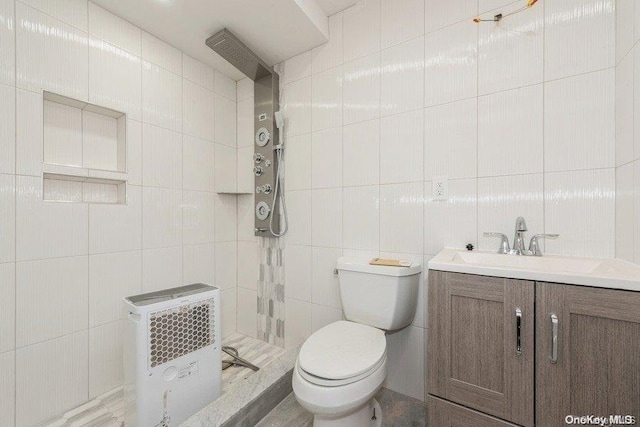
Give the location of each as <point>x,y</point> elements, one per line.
<point>338,371</point>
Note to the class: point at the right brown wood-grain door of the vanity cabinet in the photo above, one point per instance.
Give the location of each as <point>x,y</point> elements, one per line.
<point>596,367</point>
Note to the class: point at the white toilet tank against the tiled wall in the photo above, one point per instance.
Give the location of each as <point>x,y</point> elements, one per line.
<point>379,296</point>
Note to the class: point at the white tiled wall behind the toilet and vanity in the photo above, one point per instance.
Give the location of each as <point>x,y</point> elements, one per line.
<point>518,115</point>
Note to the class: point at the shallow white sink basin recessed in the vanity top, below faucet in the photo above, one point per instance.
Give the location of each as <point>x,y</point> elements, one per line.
<point>544,263</point>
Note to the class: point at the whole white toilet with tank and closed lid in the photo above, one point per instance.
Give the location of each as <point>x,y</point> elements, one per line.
<point>342,366</point>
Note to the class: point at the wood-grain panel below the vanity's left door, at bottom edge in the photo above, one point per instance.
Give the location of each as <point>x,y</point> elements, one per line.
<point>442,413</point>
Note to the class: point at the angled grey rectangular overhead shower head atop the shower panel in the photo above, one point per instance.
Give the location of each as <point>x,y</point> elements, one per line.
<point>227,45</point>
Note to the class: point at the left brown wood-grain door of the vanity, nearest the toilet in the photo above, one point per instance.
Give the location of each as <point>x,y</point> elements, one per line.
<point>476,357</point>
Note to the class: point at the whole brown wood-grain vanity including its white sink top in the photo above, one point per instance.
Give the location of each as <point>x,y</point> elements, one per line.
<point>524,341</point>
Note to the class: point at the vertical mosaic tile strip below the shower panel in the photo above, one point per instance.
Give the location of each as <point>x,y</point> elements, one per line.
<point>271,291</point>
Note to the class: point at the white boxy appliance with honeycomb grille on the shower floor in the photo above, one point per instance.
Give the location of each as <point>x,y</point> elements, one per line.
<point>172,354</point>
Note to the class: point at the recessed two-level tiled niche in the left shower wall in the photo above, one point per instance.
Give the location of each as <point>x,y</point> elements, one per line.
<point>84,152</point>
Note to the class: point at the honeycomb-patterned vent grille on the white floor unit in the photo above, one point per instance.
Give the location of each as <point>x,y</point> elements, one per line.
<point>180,330</point>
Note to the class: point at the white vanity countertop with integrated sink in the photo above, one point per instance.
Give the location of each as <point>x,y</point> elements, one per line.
<point>599,272</point>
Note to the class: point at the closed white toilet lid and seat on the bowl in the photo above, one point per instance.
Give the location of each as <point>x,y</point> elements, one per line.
<point>341,353</point>
